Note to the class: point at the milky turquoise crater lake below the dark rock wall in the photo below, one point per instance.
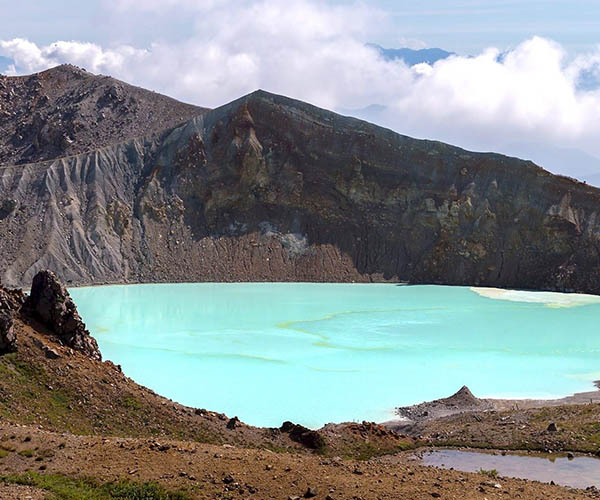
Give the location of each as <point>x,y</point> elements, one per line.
<point>318,353</point>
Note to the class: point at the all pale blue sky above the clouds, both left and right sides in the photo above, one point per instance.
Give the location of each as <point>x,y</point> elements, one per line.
<point>465,26</point>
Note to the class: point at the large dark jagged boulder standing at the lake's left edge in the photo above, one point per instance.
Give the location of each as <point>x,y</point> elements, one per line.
<point>49,302</point>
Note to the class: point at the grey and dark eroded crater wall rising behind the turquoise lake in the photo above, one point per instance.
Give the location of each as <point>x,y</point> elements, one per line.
<point>268,188</point>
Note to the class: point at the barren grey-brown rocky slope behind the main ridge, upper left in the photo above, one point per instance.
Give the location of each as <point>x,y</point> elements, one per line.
<point>66,110</point>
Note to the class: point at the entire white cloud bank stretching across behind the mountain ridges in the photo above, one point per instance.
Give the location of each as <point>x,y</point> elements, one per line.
<point>316,52</point>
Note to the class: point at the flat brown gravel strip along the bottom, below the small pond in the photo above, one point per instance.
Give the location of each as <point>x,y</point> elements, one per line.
<point>211,472</point>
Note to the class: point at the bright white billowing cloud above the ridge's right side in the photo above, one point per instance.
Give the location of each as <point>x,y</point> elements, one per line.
<point>529,94</point>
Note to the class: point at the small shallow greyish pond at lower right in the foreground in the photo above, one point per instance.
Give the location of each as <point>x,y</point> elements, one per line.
<point>576,472</point>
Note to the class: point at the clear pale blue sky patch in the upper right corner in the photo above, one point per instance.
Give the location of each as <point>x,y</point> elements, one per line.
<point>469,26</point>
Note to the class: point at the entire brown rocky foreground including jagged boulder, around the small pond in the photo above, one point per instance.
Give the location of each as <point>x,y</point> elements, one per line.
<point>73,426</point>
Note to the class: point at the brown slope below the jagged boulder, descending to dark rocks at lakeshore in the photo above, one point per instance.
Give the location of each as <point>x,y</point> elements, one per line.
<point>56,387</point>
